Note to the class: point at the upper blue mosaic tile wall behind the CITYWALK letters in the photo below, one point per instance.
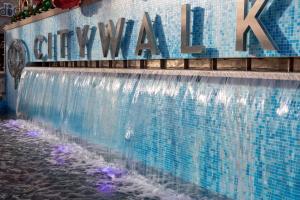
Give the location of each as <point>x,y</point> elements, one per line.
<point>214,25</point>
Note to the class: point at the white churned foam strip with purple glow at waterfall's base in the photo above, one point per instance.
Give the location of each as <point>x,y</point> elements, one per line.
<point>110,177</point>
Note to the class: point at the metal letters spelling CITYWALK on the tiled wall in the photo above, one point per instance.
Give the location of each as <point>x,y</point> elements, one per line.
<point>111,34</point>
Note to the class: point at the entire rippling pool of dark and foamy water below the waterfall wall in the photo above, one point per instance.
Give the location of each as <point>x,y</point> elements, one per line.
<point>37,164</point>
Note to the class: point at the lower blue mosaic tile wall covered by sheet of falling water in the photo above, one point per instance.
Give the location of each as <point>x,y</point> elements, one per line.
<point>235,137</point>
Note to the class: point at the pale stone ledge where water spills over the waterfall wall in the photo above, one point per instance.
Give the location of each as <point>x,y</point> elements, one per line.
<point>222,74</point>
